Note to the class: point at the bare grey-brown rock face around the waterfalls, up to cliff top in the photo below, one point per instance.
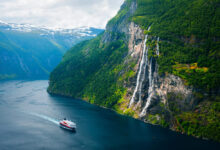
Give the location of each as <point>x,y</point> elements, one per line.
<point>150,93</point>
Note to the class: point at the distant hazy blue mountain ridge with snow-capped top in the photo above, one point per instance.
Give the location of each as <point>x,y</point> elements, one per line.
<point>30,52</point>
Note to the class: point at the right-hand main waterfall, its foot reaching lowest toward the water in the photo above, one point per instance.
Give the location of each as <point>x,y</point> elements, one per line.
<point>150,88</point>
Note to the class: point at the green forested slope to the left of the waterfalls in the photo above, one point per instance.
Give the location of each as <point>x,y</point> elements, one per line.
<point>90,70</point>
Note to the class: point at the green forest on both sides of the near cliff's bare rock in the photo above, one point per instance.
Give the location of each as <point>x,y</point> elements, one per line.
<point>189,48</point>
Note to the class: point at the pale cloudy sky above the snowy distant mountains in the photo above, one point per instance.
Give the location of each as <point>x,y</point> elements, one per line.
<point>59,13</point>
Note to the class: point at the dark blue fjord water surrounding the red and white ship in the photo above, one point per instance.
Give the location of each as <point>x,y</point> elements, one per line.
<point>29,120</point>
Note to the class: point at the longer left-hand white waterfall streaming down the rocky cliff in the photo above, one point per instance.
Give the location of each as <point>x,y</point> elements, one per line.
<point>142,67</point>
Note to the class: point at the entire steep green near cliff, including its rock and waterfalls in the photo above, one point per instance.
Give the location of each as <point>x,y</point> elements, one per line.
<point>157,61</point>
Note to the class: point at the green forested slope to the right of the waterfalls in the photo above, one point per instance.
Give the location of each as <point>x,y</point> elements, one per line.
<point>189,48</point>
